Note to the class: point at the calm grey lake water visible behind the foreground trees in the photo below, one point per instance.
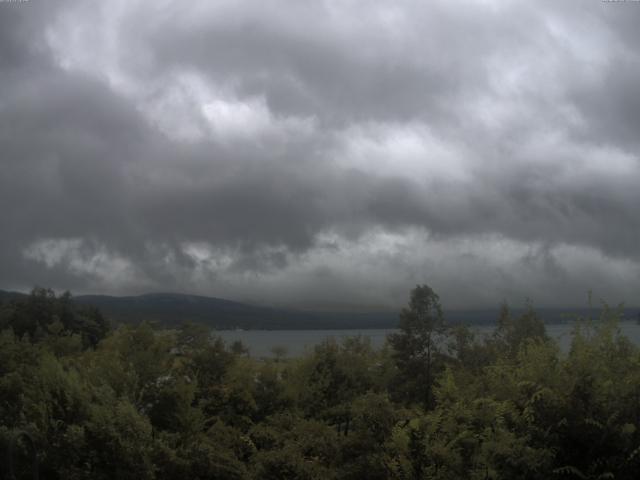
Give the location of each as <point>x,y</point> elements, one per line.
<point>297,342</point>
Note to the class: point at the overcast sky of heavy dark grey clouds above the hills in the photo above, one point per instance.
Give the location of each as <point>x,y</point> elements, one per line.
<point>322,152</point>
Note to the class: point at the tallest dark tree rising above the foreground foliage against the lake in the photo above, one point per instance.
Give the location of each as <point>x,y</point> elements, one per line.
<point>417,345</point>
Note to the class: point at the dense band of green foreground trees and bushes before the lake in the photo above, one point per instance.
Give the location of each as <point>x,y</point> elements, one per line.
<point>106,401</point>
